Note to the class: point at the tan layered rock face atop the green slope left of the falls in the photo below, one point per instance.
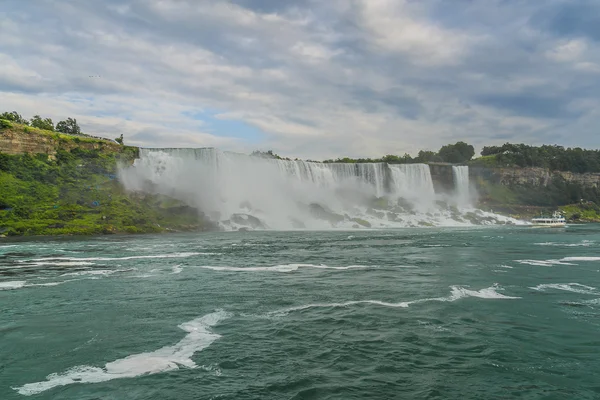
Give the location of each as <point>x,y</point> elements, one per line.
<point>30,140</point>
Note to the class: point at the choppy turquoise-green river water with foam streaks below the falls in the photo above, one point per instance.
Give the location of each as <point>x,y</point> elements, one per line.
<point>477,313</point>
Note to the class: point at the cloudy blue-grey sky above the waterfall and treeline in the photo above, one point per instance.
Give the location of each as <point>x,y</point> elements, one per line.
<point>312,79</point>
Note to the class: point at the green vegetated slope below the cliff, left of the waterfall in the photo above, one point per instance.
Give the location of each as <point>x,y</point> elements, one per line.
<point>78,193</point>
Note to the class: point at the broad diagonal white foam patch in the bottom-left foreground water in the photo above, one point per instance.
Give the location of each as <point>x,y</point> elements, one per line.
<point>168,358</point>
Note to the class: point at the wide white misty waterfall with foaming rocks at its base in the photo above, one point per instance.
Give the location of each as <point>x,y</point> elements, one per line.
<point>247,192</point>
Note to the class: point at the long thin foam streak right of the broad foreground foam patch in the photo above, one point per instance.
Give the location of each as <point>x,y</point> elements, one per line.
<point>457,292</point>
